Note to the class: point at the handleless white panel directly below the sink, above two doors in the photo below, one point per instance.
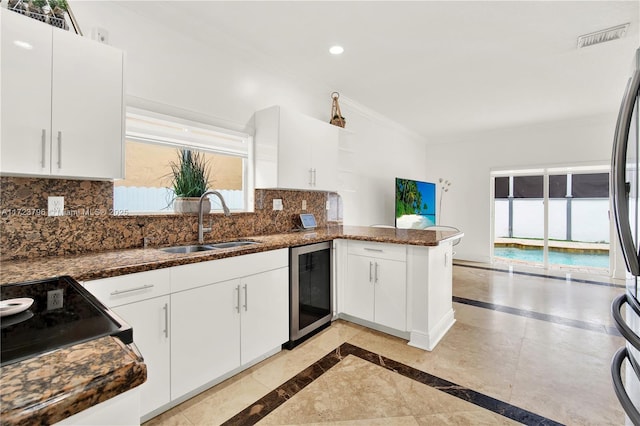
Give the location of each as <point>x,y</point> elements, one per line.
<point>195,275</point>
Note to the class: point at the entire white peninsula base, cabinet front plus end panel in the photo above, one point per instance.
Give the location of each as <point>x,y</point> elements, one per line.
<point>399,289</point>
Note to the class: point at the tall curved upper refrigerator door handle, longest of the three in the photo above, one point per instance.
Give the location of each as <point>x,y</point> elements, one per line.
<point>618,167</point>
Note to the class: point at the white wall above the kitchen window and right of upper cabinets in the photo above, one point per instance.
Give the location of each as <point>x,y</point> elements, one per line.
<point>225,85</point>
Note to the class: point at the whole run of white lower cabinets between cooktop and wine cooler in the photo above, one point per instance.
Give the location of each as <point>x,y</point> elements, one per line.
<point>197,323</point>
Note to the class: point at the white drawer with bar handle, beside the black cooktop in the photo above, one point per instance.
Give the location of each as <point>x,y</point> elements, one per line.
<point>131,288</point>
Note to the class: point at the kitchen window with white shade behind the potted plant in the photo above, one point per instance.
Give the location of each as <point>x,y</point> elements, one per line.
<point>152,141</point>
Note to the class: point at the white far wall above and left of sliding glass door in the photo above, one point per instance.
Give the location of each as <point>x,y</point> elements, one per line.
<point>467,161</point>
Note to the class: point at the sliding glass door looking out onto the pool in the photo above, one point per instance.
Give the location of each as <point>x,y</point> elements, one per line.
<point>554,218</point>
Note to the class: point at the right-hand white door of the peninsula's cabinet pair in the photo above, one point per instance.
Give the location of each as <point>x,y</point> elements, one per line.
<point>390,293</point>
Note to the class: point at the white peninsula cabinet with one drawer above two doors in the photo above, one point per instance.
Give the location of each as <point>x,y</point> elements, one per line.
<point>376,285</point>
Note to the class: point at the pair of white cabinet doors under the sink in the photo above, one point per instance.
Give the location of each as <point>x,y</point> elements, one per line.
<point>219,327</point>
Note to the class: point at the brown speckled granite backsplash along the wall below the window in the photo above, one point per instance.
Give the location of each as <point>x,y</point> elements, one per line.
<point>89,224</point>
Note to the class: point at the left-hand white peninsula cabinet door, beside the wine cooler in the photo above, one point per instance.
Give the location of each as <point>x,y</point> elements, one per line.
<point>359,290</point>
